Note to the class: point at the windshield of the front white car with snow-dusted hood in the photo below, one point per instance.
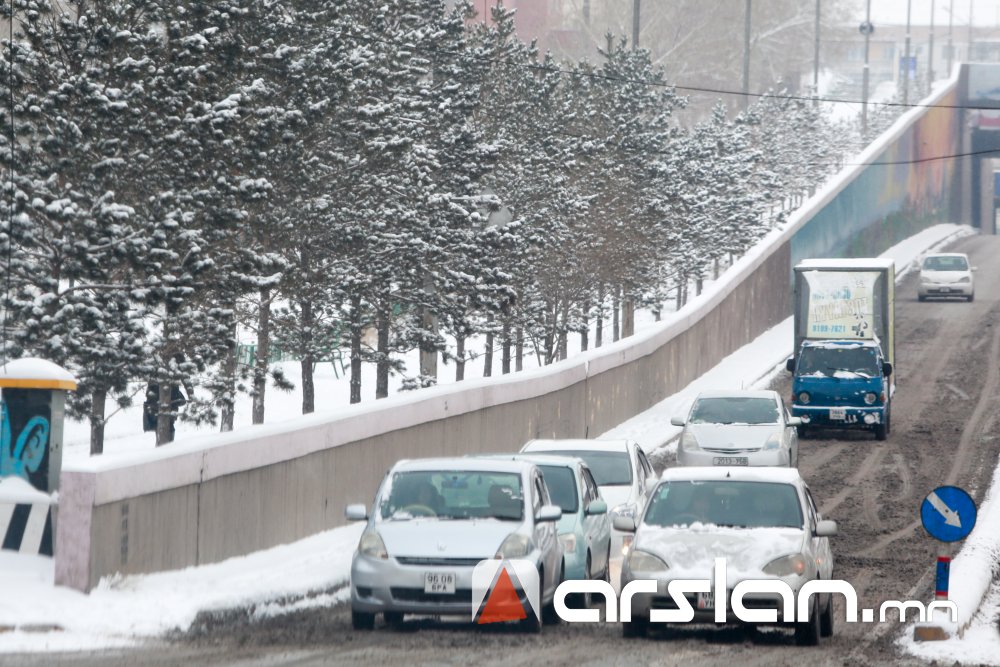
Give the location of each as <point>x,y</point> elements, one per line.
<point>725,503</point>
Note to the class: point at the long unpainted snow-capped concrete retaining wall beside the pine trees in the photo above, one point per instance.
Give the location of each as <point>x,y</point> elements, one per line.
<point>214,497</point>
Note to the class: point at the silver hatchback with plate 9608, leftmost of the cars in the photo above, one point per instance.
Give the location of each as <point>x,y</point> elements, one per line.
<point>434,520</point>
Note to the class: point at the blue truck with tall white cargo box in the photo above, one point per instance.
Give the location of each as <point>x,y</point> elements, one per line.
<point>844,345</point>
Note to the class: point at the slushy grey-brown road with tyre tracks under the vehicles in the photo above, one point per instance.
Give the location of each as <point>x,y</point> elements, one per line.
<point>872,489</point>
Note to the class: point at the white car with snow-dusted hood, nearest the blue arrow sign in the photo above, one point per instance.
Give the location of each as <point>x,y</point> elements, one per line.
<point>762,521</point>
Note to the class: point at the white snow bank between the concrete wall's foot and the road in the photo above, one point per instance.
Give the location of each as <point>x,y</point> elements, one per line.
<point>313,571</point>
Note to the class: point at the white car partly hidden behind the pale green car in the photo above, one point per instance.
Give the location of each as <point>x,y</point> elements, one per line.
<point>621,470</point>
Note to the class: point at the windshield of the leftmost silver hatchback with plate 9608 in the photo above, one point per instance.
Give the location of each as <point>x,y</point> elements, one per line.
<point>447,494</point>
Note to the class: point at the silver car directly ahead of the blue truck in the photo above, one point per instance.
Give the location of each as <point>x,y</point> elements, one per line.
<point>738,428</point>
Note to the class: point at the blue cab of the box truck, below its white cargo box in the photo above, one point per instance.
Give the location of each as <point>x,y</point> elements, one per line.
<point>841,384</point>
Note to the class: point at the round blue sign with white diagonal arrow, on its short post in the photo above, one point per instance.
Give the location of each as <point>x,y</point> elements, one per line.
<point>948,514</point>
